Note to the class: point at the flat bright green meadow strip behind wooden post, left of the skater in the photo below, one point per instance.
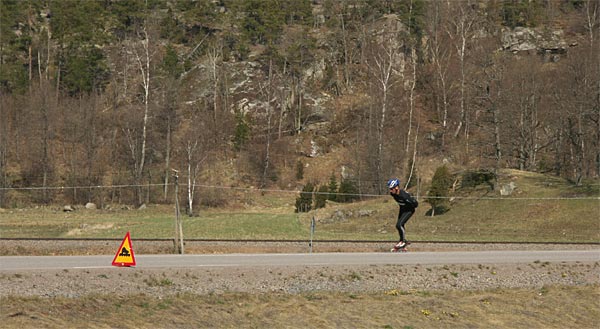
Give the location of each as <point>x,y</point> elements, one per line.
<point>153,222</point>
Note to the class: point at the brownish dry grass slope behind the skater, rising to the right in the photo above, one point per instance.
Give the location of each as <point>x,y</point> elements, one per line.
<point>541,209</point>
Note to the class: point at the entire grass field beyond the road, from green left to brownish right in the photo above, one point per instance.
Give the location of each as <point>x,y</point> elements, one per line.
<point>533,213</point>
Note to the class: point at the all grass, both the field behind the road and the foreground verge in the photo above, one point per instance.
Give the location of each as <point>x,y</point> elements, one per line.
<point>542,209</point>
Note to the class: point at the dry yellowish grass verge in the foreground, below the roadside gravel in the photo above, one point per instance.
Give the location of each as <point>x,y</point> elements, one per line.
<point>548,307</point>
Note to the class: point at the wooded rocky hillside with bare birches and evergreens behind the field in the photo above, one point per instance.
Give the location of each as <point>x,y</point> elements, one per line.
<point>130,95</point>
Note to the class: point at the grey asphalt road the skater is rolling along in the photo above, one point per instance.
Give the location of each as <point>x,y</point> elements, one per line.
<point>15,263</point>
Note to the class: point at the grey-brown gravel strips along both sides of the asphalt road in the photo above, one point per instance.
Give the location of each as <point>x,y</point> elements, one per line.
<point>284,279</point>
